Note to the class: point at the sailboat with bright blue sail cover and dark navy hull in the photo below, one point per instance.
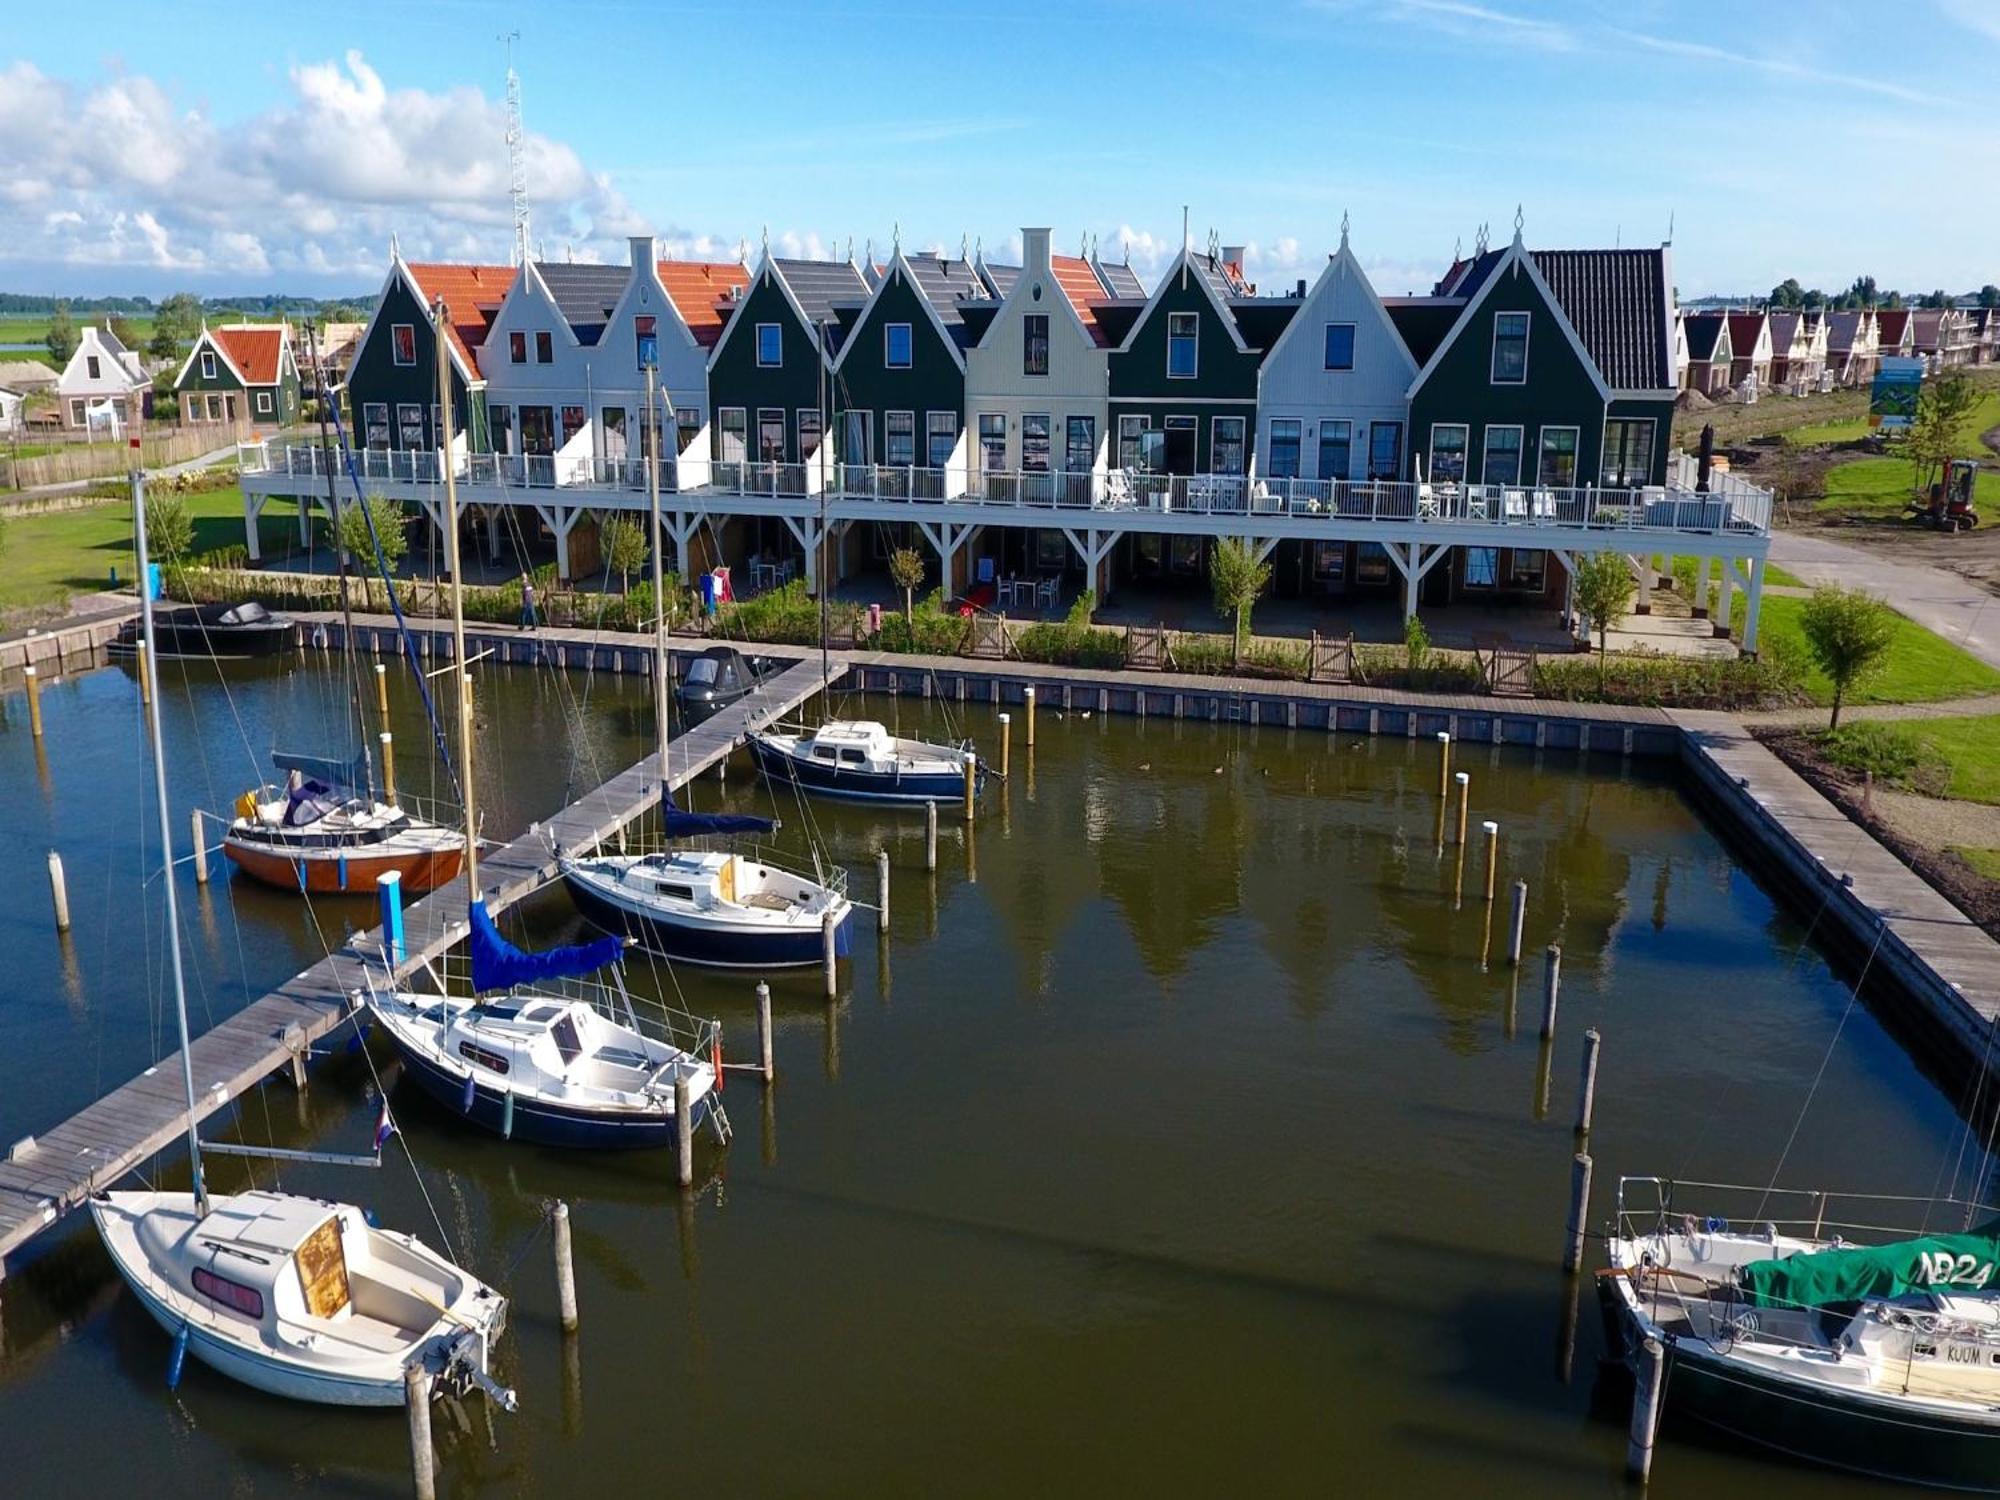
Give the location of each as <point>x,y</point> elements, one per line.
<point>513,1053</point>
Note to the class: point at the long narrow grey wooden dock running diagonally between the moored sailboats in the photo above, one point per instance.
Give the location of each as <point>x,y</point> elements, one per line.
<point>49,1175</point>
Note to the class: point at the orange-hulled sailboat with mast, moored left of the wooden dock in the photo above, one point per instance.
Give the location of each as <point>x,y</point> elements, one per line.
<point>325,831</point>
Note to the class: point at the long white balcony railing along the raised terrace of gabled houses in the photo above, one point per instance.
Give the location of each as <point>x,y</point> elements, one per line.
<point>1729,505</point>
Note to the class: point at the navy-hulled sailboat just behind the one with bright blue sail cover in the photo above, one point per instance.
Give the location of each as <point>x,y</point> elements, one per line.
<point>703,907</point>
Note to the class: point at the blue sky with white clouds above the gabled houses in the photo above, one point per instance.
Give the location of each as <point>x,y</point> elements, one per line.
<point>279,149</point>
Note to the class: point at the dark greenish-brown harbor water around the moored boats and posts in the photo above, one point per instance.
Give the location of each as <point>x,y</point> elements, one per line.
<point>1187,1135</point>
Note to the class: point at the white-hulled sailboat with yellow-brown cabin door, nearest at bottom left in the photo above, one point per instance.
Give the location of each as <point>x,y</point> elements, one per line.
<point>297,1297</point>
